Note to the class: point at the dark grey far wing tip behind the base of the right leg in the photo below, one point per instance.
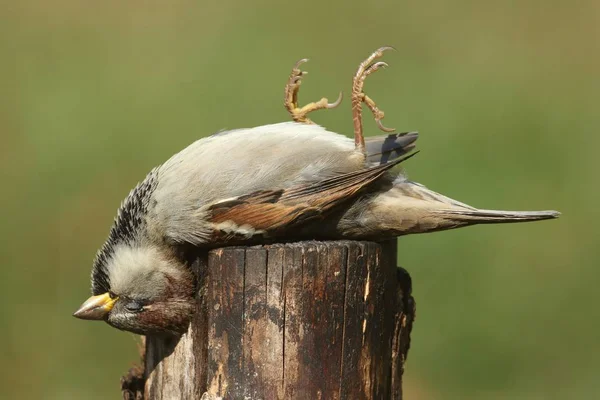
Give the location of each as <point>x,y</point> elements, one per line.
<point>383,149</point>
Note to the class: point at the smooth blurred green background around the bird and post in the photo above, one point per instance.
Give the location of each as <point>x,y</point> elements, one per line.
<point>506,96</point>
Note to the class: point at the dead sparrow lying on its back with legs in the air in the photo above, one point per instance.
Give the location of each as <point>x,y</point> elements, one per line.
<point>287,181</point>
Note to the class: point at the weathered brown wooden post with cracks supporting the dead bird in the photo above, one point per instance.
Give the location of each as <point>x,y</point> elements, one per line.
<point>307,320</point>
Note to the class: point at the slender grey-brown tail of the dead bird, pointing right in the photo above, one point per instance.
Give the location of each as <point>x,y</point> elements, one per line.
<point>497,216</point>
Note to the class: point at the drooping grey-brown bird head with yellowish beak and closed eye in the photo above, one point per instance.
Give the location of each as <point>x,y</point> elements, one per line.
<point>141,289</point>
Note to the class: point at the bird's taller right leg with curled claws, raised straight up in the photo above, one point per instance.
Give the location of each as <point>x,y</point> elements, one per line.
<point>365,69</point>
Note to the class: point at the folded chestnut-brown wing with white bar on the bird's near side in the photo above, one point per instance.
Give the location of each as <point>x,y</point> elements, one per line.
<point>269,212</point>
